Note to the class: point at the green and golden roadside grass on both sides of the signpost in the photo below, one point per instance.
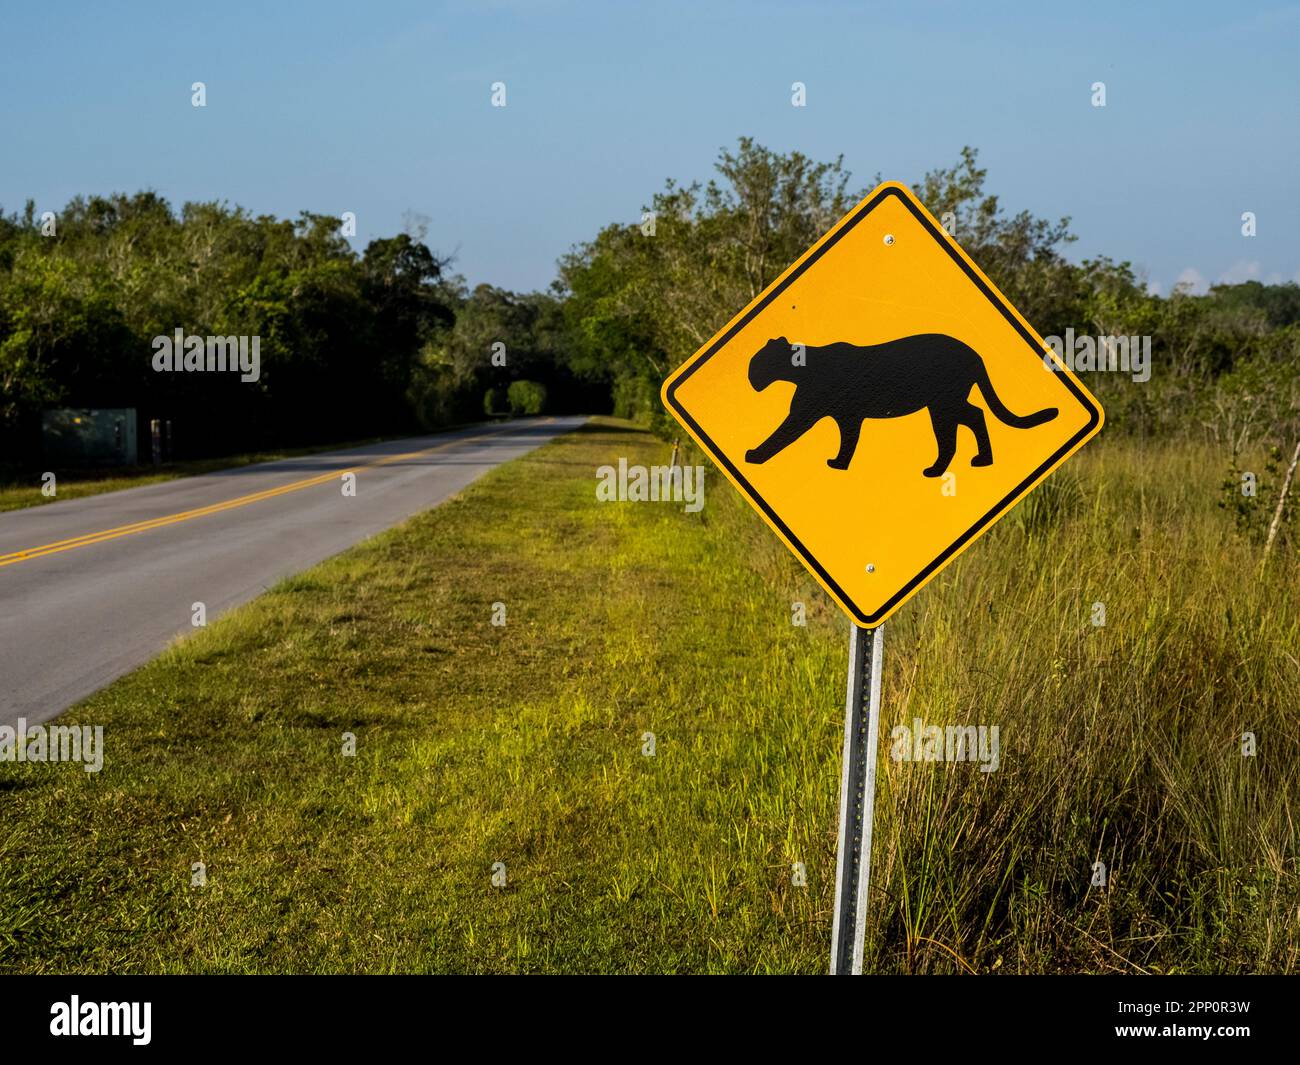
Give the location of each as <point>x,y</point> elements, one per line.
<point>525,746</point>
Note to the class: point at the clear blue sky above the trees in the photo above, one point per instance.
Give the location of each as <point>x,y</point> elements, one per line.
<point>384,109</point>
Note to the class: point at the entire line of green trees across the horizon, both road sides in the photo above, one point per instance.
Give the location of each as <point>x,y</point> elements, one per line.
<point>387,341</point>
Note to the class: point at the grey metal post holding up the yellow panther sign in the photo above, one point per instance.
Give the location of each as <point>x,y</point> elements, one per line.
<point>857,799</point>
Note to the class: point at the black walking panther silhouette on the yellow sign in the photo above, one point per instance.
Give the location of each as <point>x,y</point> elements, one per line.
<point>852,383</point>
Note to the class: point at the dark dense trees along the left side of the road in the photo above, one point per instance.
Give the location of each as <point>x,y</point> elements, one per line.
<point>352,345</point>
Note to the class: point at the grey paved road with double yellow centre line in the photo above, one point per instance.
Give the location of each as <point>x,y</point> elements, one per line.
<point>93,588</point>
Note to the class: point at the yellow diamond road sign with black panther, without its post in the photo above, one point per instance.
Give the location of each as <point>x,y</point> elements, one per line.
<point>882,405</point>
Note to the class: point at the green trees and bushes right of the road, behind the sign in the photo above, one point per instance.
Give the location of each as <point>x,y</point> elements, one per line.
<point>1224,366</point>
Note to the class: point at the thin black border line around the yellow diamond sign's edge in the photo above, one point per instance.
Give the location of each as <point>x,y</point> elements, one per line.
<point>870,621</point>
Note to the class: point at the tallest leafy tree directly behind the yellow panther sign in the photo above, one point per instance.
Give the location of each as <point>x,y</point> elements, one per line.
<point>643,298</point>
